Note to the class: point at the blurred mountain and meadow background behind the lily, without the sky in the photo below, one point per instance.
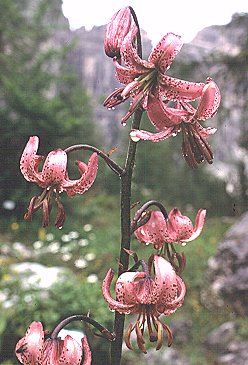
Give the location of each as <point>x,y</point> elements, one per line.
<point>52,84</point>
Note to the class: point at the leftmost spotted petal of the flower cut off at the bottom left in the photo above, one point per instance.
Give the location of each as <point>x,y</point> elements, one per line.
<point>29,348</point>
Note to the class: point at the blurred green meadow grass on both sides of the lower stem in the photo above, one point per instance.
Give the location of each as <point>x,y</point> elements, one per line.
<point>97,223</point>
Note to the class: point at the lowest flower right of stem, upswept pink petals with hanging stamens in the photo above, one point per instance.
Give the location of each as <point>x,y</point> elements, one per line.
<point>149,297</point>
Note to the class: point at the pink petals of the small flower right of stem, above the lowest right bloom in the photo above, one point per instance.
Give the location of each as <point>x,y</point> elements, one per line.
<point>177,229</point>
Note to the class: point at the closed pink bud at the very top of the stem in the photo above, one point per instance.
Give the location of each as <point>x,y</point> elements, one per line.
<point>117,29</point>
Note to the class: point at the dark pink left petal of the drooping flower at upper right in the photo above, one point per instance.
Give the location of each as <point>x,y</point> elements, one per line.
<point>163,116</point>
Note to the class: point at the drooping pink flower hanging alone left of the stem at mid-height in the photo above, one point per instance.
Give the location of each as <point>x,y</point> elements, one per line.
<point>53,178</point>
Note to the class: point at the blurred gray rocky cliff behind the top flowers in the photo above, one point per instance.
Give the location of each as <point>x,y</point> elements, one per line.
<point>216,51</point>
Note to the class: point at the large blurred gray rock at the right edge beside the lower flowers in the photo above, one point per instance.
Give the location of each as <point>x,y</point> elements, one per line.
<point>227,274</point>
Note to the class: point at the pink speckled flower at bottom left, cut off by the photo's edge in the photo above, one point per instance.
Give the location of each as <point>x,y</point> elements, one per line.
<point>37,348</point>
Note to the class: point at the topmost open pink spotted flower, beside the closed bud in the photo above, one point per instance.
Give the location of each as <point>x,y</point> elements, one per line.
<point>142,79</point>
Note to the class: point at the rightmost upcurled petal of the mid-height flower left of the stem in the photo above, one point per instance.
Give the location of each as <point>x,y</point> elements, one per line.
<point>81,185</point>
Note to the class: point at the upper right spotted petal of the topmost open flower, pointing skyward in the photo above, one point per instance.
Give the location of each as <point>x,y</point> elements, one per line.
<point>165,51</point>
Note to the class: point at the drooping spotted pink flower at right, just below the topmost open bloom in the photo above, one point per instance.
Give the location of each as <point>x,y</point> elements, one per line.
<point>184,118</point>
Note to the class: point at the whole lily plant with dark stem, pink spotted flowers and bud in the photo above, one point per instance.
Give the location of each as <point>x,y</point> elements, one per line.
<point>150,289</point>
